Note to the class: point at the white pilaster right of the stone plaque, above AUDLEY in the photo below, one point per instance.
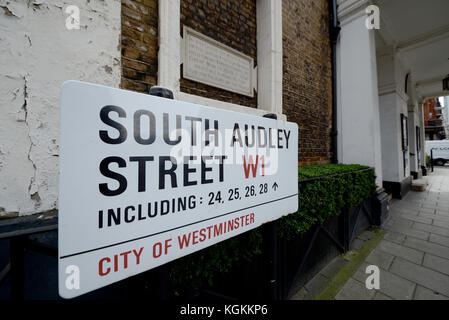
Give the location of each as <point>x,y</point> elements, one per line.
<point>269,55</point>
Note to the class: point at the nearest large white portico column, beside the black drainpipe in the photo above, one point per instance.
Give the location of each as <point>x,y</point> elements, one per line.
<point>357,94</point>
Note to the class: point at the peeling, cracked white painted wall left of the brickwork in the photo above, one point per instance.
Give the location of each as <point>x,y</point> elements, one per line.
<point>37,55</point>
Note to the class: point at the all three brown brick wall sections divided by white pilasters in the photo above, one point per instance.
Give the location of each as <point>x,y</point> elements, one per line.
<point>307,72</point>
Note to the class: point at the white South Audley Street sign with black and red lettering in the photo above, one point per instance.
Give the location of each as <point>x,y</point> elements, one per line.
<point>145,180</point>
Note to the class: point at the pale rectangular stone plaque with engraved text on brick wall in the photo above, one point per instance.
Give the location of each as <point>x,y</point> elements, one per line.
<point>213,63</point>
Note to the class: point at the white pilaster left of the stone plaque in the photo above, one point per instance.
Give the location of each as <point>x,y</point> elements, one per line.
<point>169,56</point>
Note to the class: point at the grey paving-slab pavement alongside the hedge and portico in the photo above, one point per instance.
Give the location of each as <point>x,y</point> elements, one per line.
<point>413,256</point>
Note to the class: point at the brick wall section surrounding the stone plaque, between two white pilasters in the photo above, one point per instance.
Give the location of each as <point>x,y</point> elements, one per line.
<point>231,22</point>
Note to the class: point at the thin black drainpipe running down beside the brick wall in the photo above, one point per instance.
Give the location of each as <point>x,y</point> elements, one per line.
<point>334,31</point>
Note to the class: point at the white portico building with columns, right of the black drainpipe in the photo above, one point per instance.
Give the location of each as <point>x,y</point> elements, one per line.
<point>384,75</point>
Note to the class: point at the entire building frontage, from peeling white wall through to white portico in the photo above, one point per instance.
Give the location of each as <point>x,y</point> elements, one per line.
<point>356,92</point>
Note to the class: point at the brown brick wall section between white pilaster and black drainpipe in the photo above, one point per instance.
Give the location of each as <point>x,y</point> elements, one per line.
<point>307,79</point>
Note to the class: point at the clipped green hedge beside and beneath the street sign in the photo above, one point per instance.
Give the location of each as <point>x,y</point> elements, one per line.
<point>324,191</point>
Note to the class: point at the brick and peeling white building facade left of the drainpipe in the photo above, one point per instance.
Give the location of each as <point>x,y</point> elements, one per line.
<point>137,44</point>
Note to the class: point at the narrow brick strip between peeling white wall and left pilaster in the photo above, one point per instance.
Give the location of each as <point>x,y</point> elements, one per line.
<point>139,39</point>
